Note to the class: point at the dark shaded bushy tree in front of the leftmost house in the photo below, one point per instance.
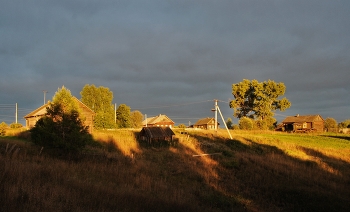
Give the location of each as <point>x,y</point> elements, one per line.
<point>59,129</point>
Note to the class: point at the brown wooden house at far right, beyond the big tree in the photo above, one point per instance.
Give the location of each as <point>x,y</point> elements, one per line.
<point>305,123</point>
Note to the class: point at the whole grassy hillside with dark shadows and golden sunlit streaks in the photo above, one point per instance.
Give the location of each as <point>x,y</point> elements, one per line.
<point>201,171</point>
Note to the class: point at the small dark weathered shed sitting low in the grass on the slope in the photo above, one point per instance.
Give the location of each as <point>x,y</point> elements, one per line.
<point>156,133</point>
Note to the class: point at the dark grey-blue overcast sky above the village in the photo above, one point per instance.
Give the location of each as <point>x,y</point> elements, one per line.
<point>176,57</point>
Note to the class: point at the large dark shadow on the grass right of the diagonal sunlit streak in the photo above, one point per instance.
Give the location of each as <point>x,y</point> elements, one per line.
<point>278,181</point>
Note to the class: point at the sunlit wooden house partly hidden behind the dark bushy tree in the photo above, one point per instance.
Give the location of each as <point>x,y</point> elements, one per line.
<point>35,115</point>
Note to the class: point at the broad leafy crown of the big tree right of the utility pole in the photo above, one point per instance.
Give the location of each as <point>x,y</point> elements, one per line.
<point>258,100</point>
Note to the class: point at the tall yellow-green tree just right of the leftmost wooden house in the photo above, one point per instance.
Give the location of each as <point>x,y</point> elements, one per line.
<point>99,99</point>
